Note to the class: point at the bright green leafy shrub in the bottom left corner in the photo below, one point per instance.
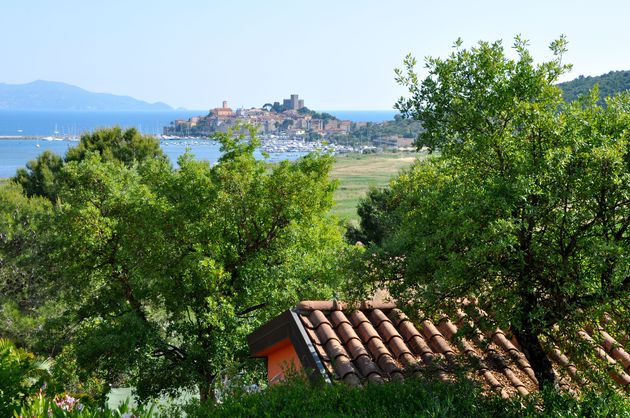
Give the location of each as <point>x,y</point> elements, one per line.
<point>21,375</point>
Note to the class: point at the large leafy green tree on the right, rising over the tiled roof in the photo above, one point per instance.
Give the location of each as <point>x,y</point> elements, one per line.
<point>526,210</point>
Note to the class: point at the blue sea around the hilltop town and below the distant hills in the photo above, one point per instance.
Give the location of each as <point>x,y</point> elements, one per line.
<point>15,153</point>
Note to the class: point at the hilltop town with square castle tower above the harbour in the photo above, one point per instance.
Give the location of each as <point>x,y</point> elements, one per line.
<point>290,118</point>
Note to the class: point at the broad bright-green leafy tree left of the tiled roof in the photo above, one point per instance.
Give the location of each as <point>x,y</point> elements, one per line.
<point>164,271</point>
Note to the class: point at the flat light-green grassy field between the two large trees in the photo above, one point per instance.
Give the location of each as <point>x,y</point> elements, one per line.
<point>358,172</point>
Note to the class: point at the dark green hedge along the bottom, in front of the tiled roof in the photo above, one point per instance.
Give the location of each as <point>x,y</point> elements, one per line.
<point>411,398</point>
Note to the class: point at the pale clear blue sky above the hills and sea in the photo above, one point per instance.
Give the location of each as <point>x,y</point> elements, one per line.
<point>337,55</point>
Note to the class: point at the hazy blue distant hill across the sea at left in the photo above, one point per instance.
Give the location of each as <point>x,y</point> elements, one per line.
<point>50,95</point>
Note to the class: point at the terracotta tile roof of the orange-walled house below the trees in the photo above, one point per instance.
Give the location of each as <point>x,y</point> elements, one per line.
<point>375,341</point>
